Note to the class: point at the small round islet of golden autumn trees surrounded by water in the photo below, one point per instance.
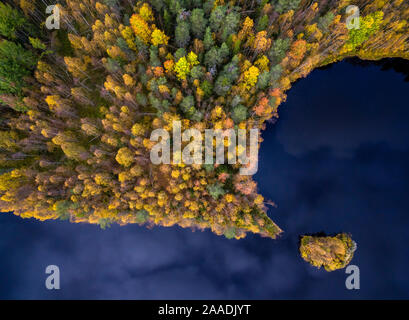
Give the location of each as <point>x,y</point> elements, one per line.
<point>331,252</point>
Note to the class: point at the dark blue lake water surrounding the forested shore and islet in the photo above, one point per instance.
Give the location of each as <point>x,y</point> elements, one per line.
<point>336,161</point>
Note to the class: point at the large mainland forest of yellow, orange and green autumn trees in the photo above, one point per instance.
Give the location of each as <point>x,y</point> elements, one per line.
<point>78,103</point>
